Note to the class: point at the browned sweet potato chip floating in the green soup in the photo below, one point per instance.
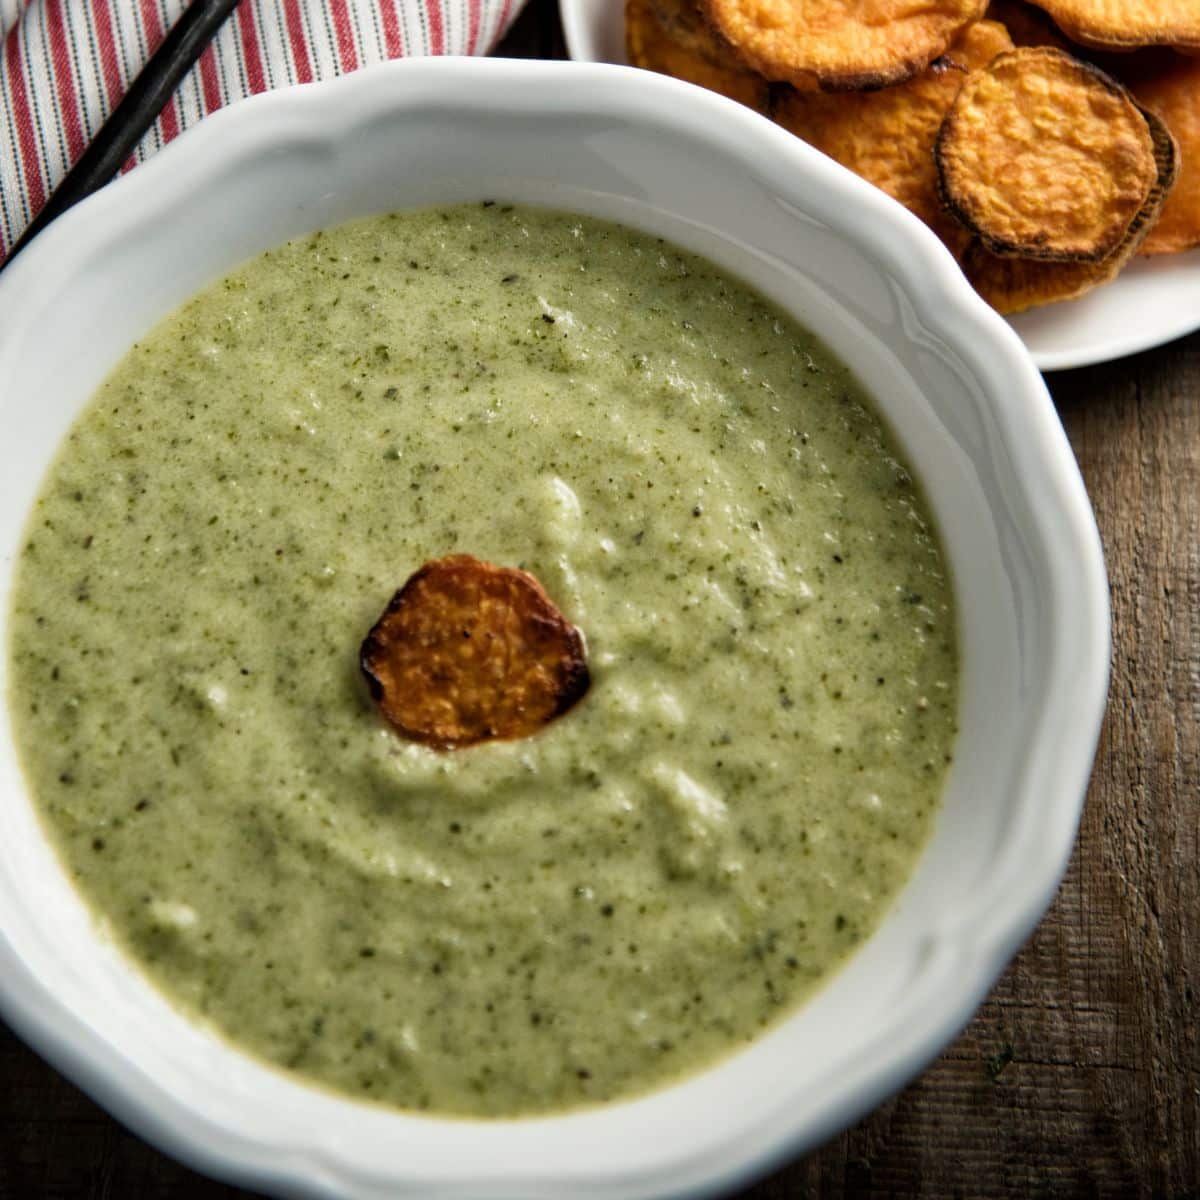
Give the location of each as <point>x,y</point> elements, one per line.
<point>467,652</point>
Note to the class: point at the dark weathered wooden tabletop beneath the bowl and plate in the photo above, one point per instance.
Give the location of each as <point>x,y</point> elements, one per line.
<point>1081,1076</point>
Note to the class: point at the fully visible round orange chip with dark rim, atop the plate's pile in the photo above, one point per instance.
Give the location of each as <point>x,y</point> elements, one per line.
<point>1046,158</point>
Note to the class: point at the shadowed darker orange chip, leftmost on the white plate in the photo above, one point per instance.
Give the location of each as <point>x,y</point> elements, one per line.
<point>671,37</point>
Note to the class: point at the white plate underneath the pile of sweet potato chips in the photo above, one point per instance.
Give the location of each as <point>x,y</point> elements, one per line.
<point>1153,302</point>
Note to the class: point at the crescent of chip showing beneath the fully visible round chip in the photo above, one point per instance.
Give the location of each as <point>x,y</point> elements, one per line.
<point>1013,285</point>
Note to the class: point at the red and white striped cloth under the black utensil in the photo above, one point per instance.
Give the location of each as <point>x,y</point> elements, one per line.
<point>67,64</point>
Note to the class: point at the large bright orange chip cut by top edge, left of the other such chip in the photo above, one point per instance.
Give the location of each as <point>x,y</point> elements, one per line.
<point>842,45</point>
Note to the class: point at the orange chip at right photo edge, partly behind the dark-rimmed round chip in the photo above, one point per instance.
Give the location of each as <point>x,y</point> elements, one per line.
<point>1169,85</point>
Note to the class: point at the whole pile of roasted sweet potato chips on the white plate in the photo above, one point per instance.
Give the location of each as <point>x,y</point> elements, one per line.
<point>1046,146</point>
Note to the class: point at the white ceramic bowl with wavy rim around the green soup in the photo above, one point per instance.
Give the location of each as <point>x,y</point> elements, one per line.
<point>951,377</point>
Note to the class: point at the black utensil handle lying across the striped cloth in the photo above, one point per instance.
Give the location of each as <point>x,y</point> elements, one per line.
<point>136,113</point>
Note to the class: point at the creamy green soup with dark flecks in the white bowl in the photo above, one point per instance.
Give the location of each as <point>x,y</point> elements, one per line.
<point>580,915</point>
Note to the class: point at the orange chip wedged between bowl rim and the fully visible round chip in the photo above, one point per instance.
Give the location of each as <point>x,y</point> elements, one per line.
<point>887,136</point>
